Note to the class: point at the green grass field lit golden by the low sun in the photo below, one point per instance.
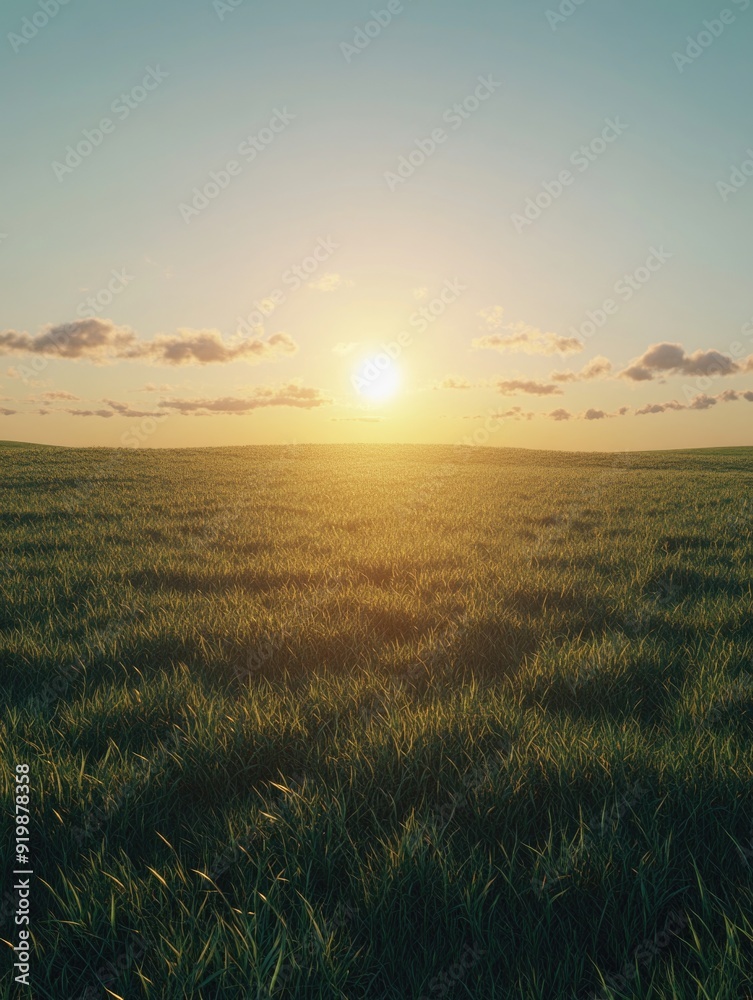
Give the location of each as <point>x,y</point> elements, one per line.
<point>380,722</point>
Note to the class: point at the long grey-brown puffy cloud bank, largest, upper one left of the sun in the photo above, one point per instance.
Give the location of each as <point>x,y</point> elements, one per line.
<point>100,341</point>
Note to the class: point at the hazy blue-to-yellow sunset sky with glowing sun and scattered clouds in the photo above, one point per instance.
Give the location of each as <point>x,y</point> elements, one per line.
<point>522,224</point>
